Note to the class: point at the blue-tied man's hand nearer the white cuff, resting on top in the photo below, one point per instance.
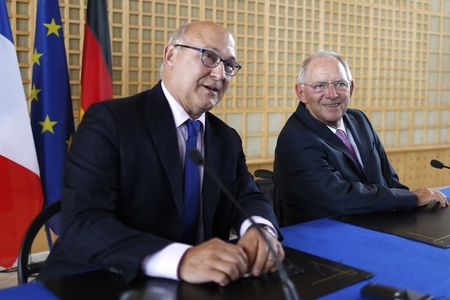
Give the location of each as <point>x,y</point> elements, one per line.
<point>214,260</point>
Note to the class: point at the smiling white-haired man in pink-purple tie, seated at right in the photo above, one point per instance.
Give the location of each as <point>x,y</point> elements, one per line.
<point>316,174</point>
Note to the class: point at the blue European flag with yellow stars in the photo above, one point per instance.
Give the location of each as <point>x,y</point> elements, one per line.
<point>51,104</point>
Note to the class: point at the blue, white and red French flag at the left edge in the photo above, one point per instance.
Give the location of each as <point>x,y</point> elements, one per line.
<point>20,187</point>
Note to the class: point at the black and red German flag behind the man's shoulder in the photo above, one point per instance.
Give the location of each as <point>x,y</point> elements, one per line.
<point>96,82</point>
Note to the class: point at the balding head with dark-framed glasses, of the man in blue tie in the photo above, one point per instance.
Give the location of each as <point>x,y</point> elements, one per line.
<point>194,65</point>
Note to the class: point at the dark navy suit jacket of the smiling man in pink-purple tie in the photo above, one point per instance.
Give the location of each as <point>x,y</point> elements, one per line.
<point>316,176</point>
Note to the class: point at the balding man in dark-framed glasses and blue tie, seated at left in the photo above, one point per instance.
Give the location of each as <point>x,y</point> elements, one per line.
<point>123,199</point>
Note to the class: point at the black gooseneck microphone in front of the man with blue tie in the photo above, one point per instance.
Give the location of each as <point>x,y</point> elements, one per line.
<point>288,287</point>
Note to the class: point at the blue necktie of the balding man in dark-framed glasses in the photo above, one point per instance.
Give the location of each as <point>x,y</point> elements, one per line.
<point>191,184</point>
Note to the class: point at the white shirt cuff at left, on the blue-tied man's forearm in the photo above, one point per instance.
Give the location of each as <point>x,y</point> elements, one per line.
<point>164,263</point>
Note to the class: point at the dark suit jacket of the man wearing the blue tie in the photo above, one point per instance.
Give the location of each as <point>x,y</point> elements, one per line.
<point>123,187</point>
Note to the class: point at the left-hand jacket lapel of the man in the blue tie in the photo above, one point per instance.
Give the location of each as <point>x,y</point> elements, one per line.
<point>162,130</point>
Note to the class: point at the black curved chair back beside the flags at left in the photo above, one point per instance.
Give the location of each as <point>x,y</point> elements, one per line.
<point>24,268</point>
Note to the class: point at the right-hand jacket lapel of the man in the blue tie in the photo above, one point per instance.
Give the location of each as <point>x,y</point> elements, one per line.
<point>214,154</point>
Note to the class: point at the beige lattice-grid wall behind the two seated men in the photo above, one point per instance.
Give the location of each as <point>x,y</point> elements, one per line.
<point>399,52</point>
